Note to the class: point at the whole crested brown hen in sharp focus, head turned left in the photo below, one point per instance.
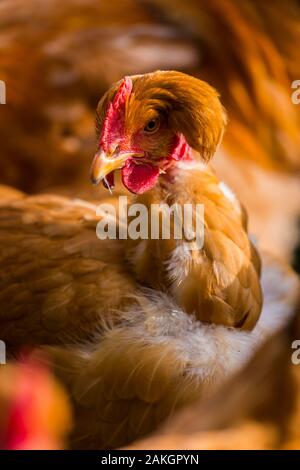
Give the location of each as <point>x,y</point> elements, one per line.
<point>142,348</point>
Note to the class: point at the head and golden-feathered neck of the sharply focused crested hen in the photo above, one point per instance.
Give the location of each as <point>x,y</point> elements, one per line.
<point>161,129</point>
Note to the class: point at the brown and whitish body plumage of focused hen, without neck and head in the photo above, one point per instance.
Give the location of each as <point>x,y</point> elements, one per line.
<point>136,371</point>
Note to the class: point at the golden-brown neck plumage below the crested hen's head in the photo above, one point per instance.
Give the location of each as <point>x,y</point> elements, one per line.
<point>219,283</point>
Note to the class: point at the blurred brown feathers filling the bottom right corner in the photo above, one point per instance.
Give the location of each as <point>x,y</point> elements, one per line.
<point>261,411</point>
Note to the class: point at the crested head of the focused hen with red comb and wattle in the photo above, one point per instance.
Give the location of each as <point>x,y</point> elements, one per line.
<point>147,123</point>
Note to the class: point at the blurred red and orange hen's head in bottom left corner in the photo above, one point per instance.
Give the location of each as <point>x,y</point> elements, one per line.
<point>34,411</point>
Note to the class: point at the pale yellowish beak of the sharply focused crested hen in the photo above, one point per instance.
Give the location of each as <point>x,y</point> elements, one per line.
<point>103,164</point>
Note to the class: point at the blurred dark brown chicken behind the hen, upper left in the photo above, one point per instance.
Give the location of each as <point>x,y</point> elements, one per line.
<point>57,59</point>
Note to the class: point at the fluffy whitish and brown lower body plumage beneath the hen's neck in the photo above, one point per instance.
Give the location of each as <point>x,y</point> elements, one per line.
<point>136,375</point>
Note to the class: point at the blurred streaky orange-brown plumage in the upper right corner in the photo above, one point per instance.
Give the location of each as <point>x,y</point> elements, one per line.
<point>249,53</point>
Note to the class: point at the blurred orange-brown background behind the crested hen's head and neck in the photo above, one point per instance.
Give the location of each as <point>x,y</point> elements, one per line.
<point>57,58</point>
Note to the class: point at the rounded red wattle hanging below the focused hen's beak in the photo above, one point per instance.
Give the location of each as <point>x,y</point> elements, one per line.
<point>139,178</point>
